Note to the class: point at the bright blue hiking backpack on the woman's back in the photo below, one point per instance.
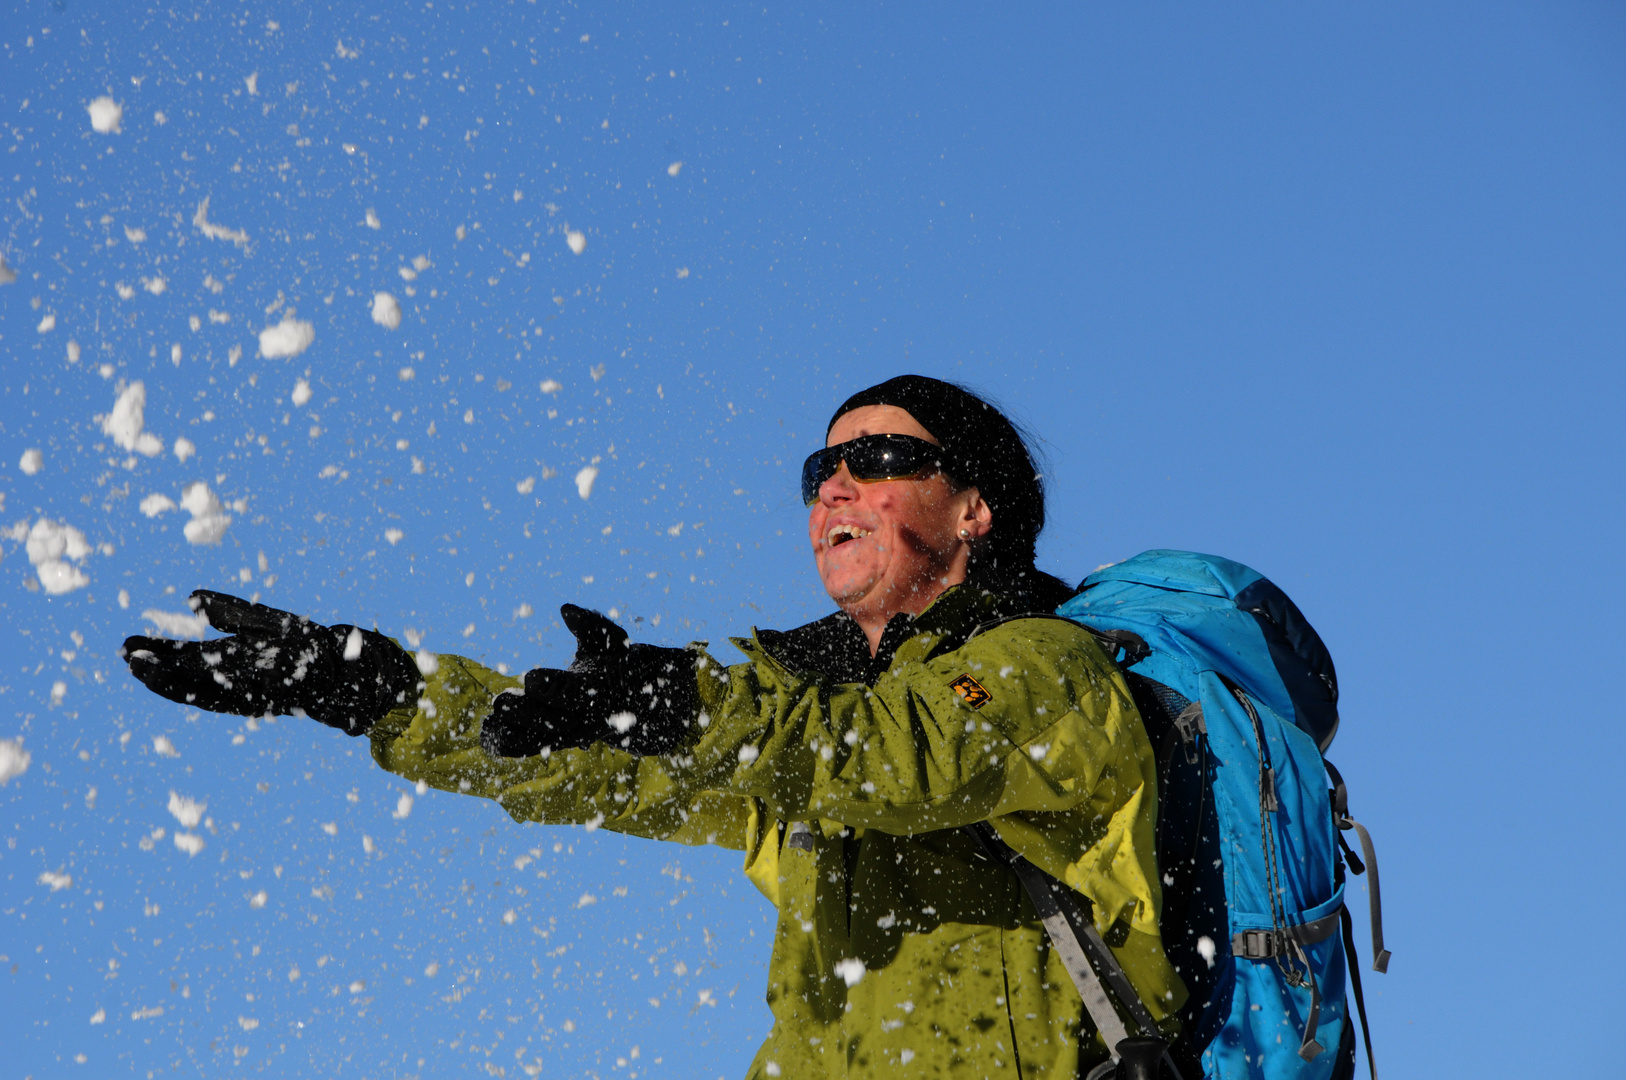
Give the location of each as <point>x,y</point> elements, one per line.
<point>1241,700</point>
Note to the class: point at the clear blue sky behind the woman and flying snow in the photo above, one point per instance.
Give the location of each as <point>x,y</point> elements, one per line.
<point>1333,290</point>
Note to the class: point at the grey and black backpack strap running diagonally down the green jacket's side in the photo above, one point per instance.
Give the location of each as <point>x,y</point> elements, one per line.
<point>1079,946</point>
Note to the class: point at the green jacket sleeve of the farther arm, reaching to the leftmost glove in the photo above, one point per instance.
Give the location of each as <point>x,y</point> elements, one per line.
<point>437,741</point>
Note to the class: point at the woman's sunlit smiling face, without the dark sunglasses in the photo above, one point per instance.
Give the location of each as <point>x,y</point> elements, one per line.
<point>892,546</point>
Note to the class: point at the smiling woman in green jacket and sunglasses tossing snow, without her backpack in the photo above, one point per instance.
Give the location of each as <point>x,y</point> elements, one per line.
<point>843,757</point>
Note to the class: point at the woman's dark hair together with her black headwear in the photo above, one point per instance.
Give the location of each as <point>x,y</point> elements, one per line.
<point>986,451</point>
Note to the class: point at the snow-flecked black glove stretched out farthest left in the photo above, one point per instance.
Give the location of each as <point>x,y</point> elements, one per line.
<point>277,664</point>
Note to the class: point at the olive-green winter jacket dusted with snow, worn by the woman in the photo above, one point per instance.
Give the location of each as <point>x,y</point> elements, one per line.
<point>848,798</point>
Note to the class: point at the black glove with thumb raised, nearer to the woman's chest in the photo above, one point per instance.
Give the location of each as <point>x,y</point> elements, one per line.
<point>641,699</point>
